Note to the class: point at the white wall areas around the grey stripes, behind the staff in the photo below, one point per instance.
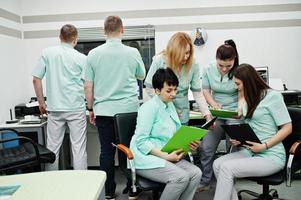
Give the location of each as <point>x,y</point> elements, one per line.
<point>277,48</point>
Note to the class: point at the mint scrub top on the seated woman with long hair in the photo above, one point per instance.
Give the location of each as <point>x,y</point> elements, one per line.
<point>270,113</point>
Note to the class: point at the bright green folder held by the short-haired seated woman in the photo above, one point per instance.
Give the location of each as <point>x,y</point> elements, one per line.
<point>182,138</point>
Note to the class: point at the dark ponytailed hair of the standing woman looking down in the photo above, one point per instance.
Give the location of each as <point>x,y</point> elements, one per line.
<point>228,51</point>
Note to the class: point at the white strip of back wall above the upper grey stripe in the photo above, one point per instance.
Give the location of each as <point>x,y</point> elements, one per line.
<point>38,7</point>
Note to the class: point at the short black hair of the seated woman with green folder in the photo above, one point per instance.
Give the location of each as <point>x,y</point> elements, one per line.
<point>164,76</point>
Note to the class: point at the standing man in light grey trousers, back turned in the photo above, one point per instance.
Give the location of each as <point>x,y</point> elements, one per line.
<point>64,68</point>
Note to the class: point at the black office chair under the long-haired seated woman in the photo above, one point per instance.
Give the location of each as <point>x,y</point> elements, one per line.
<point>292,146</point>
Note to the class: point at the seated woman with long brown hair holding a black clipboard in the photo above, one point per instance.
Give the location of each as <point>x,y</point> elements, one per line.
<point>264,110</point>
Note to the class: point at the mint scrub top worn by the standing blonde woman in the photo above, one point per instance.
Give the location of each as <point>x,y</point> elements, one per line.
<point>191,80</point>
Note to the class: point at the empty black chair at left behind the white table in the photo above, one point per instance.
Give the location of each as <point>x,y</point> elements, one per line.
<point>27,154</point>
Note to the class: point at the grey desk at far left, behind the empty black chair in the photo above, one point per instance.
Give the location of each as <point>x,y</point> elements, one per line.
<point>40,129</point>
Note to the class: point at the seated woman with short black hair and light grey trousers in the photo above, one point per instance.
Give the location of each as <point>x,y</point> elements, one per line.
<point>157,121</point>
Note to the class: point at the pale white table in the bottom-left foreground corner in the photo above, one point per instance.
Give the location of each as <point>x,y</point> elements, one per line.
<point>52,185</point>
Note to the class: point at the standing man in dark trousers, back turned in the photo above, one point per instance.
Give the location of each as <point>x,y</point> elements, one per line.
<point>111,87</point>
